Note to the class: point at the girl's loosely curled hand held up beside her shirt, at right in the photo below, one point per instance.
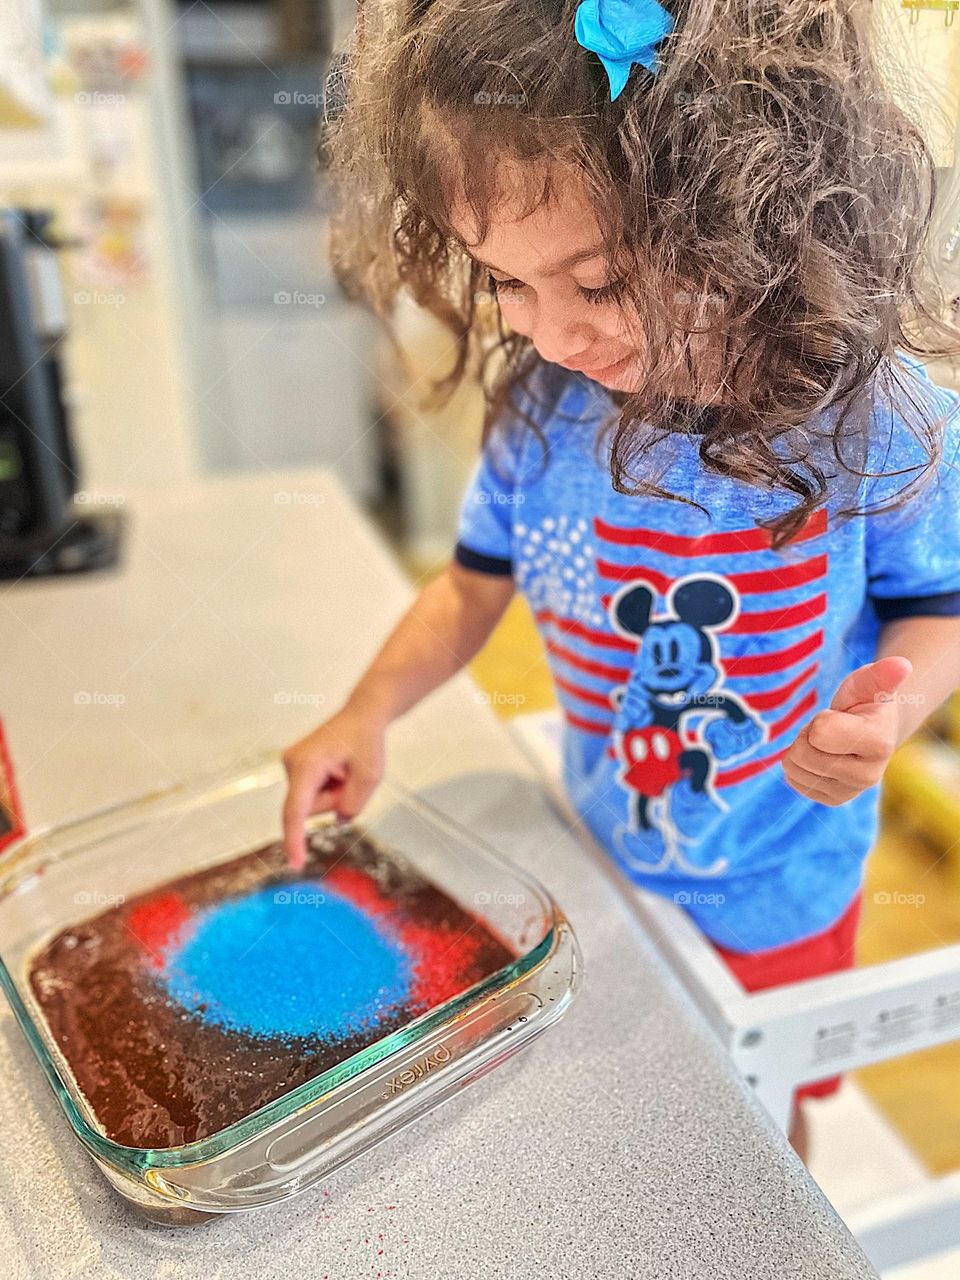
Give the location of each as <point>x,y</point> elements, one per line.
<point>845,749</point>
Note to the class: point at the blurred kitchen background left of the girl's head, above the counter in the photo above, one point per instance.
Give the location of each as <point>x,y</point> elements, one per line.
<point>175,147</point>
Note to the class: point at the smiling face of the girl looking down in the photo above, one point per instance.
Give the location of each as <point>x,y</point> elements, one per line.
<point>554,286</point>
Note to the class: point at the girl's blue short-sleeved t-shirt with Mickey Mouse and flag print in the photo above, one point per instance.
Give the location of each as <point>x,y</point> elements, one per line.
<point>688,655</point>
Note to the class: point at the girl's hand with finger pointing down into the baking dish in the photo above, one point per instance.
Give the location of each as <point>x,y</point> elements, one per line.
<point>336,767</point>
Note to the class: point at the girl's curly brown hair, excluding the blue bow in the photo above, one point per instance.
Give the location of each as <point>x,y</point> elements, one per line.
<point>764,193</point>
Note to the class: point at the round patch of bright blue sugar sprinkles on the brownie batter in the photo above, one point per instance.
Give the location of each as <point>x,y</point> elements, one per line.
<point>289,962</point>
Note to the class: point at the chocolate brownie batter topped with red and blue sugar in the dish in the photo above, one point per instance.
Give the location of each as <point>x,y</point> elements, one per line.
<point>161,1068</point>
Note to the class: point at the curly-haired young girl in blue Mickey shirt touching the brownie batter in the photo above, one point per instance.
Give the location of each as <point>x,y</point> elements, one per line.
<point>682,246</point>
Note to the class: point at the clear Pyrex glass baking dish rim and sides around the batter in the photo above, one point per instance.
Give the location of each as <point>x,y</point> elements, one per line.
<point>57,879</point>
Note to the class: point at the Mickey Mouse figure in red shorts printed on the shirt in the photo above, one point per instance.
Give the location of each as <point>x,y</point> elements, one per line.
<point>678,679</point>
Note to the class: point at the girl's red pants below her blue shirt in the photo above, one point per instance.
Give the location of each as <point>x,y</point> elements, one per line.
<point>811,958</point>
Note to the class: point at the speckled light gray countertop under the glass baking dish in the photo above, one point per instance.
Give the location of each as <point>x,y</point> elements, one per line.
<point>621,1144</point>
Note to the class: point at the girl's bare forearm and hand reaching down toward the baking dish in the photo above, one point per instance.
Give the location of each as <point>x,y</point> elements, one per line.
<point>340,765</point>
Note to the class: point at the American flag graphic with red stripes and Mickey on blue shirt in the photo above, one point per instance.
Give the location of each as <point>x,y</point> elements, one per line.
<point>742,623</point>
